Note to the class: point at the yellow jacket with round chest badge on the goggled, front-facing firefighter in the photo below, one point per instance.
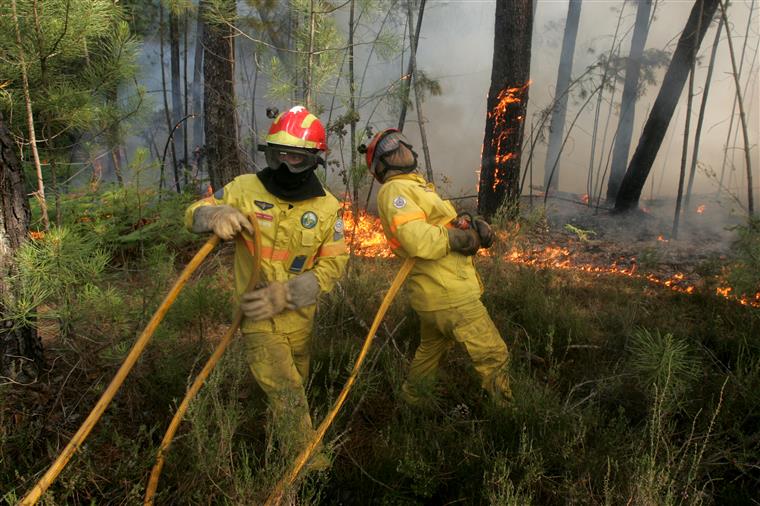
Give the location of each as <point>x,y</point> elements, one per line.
<point>295,237</point>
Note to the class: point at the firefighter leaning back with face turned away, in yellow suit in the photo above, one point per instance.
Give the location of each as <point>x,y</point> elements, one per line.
<point>444,287</point>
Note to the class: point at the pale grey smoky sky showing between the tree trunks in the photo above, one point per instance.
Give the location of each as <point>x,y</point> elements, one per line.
<point>456,49</point>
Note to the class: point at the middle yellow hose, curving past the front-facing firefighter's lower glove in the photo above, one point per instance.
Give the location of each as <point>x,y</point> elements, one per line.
<point>155,473</point>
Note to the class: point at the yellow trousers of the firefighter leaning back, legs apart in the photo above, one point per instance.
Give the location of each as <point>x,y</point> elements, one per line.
<point>470,325</point>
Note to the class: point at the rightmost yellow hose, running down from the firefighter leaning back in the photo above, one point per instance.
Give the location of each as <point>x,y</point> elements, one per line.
<point>276,496</point>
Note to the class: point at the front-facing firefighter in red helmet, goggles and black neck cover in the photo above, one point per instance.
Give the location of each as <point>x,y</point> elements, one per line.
<point>303,254</point>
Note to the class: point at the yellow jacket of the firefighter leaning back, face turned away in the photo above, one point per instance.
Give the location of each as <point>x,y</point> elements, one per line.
<point>414,220</point>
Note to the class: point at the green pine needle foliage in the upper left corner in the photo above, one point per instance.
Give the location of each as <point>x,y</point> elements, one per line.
<point>76,54</point>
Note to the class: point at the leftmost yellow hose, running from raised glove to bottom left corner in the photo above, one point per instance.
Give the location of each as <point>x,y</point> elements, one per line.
<point>55,469</point>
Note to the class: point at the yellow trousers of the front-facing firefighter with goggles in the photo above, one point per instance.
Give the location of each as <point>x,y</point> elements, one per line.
<point>279,362</point>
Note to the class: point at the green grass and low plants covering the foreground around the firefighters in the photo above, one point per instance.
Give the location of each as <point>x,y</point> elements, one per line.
<point>625,393</point>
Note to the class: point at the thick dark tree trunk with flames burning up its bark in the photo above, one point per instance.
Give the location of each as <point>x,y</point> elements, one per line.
<point>506,106</point>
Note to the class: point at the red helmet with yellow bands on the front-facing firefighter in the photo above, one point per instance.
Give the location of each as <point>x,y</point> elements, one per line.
<point>297,128</point>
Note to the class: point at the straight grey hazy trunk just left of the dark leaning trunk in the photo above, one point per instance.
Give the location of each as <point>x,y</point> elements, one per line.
<point>628,104</point>
